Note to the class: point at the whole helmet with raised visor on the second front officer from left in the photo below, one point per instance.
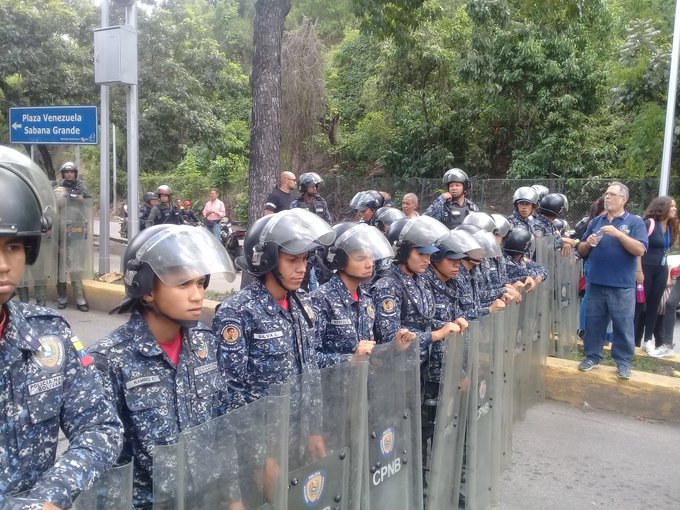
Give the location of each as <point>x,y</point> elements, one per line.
<point>174,254</point>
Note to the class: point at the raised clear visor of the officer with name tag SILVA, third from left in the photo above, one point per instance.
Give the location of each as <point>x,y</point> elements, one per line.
<point>297,231</point>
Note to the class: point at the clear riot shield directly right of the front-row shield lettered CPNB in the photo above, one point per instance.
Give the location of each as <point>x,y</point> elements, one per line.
<point>446,458</point>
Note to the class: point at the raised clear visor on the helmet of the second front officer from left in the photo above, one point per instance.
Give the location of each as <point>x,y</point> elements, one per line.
<point>180,254</point>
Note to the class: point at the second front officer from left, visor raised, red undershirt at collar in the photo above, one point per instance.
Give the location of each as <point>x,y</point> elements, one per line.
<point>161,366</point>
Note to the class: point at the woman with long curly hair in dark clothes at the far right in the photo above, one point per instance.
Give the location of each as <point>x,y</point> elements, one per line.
<point>662,226</point>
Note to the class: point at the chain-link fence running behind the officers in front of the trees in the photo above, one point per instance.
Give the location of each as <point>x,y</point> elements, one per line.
<point>491,195</point>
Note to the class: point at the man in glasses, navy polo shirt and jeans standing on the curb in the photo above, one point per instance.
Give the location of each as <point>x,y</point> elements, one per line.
<point>612,242</point>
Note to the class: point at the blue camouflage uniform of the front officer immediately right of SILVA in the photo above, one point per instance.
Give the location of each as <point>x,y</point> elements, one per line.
<point>341,322</point>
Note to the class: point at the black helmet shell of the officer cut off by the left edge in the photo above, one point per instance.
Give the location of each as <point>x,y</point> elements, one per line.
<point>21,211</point>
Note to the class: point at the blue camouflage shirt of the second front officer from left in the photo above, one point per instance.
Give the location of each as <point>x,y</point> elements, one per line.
<point>156,400</point>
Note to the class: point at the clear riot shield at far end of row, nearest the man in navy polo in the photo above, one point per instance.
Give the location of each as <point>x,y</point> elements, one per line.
<point>566,305</point>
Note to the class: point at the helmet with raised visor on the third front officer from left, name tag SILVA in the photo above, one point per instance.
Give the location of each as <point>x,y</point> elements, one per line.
<point>295,231</point>
